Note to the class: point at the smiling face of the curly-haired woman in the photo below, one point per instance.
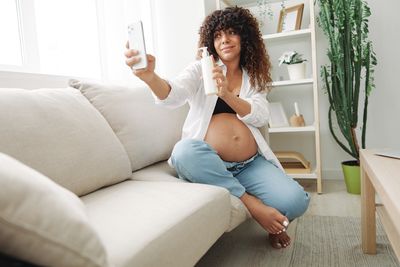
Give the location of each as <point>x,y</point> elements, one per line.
<point>227,44</point>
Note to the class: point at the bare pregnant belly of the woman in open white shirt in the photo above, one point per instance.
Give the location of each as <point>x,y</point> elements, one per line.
<point>230,137</point>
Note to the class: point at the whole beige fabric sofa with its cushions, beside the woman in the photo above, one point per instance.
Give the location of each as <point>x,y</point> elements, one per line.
<point>84,181</point>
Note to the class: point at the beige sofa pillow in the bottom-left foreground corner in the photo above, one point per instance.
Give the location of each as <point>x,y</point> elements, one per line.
<point>43,223</point>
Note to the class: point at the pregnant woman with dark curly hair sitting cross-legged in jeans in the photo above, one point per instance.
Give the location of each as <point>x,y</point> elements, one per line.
<point>221,144</point>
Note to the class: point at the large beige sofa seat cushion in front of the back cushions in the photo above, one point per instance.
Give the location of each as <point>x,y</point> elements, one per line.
<point>158,223</point>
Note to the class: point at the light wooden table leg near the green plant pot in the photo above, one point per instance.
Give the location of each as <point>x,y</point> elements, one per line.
<point>368,220</point>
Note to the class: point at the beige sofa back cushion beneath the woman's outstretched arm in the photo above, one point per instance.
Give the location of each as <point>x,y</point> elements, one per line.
<point>147,131</point>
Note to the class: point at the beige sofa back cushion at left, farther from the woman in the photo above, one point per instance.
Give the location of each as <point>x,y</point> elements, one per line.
<point>60,134</point>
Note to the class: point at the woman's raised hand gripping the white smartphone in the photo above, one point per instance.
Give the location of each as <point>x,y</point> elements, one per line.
<point>146,74</point>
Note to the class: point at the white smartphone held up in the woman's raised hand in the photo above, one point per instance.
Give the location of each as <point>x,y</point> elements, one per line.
<point>136,41</point>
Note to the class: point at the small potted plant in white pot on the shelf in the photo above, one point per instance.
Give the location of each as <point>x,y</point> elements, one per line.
<point>295,64</point>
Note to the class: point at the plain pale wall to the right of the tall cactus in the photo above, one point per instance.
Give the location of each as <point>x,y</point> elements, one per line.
<point>384,127</point>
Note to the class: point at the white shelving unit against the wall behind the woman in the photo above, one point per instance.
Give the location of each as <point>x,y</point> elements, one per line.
<point>285,87</point>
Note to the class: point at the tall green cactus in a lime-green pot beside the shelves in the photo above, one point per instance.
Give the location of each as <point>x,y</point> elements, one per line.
<point>352,59</point>
